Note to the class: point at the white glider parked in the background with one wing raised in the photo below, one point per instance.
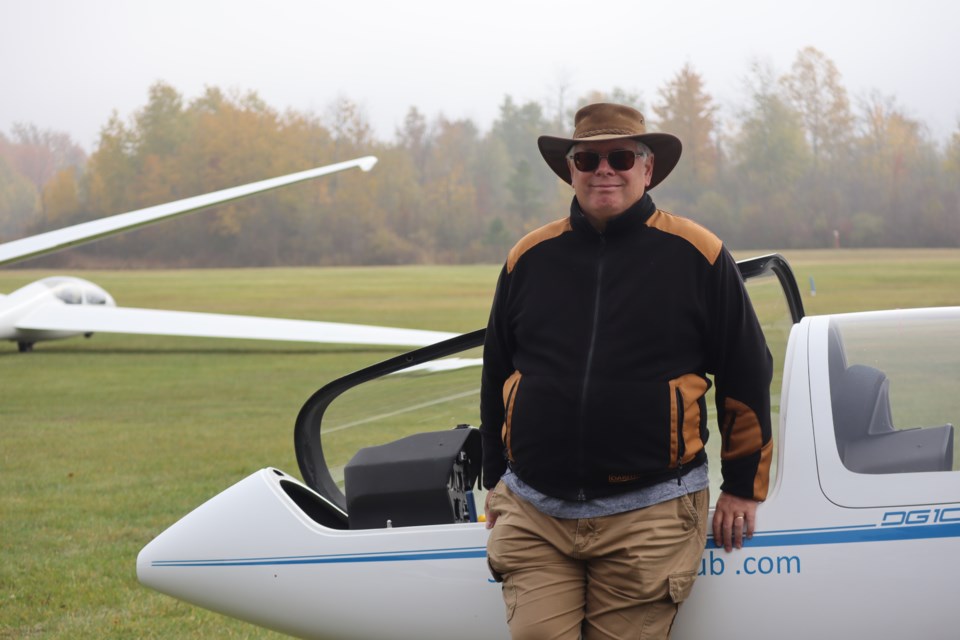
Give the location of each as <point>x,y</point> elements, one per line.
<point>62,307</point>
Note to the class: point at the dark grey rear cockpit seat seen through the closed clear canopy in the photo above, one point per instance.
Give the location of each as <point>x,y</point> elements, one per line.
<point>868,441</point>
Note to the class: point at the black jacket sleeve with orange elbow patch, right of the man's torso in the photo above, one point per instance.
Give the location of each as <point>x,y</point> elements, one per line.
<point>743,368</point>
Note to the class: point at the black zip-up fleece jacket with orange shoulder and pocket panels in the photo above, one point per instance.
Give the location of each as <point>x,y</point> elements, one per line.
<point>597,355</point>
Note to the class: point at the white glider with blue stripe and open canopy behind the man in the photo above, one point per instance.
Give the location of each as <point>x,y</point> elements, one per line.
<point>858,538</point>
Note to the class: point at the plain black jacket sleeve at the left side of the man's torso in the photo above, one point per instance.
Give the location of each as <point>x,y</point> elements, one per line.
<point>497,367</point>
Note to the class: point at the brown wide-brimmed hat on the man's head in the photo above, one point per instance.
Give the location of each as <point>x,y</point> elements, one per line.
<point>604,121</point>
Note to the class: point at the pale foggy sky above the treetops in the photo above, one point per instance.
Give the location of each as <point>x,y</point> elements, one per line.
<point>67,65</point>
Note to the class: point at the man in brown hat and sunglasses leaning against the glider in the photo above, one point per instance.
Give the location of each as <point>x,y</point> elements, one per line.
<point>603,329</point>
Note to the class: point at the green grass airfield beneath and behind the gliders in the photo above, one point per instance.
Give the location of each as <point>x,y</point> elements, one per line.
<point>106,442</point>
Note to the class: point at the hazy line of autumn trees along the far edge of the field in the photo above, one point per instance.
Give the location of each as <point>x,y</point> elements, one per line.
<point>796,165</point>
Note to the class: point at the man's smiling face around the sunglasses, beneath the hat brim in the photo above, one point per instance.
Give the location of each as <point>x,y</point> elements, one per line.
<point>604,192</point>
